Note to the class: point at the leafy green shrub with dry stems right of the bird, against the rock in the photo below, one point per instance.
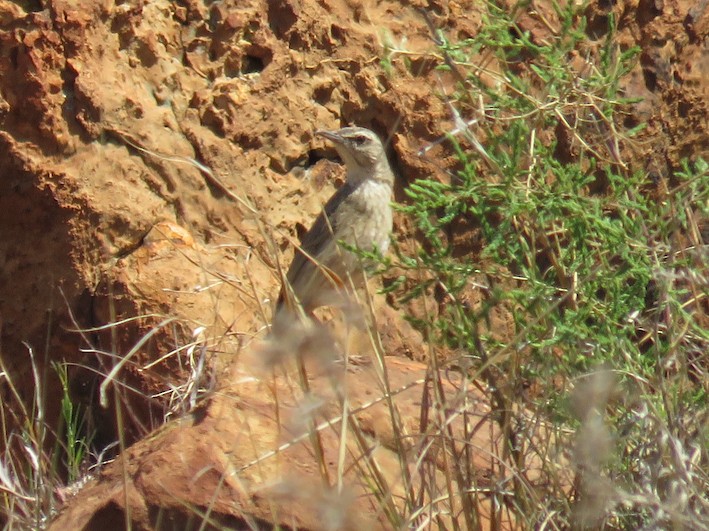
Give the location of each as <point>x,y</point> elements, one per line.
<point>605,284</point>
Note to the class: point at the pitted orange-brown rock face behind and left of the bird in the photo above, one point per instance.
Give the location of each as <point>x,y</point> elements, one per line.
<point>111,115</point>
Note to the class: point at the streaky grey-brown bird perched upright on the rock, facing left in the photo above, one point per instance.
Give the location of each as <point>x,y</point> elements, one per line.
<point>358,214</point>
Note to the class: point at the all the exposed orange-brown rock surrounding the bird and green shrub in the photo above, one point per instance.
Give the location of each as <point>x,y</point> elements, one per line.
<point>158,159</point>
